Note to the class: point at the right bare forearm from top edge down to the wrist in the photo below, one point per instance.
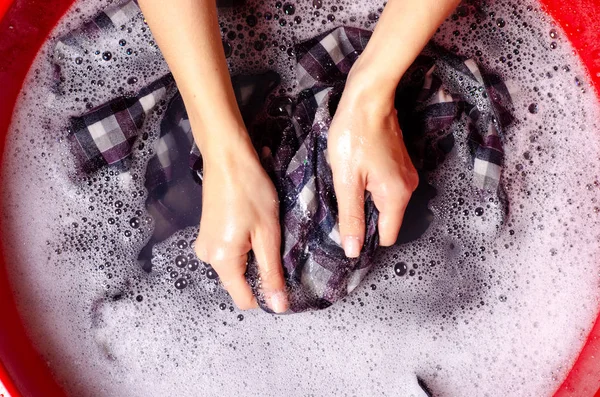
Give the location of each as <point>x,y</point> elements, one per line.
<point>403,30</point>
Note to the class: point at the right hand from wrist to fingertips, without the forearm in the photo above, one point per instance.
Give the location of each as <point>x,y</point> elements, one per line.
<point>367,153</point>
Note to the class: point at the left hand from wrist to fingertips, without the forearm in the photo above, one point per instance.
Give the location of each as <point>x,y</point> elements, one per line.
<point>240,211</point>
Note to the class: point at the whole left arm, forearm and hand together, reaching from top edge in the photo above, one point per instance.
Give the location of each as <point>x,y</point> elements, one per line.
<point>240,206</point>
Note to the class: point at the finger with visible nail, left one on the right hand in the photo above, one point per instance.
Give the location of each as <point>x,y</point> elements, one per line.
<point>351,205</point>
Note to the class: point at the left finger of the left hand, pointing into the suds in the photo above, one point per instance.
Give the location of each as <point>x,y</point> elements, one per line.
<point>231,272</point>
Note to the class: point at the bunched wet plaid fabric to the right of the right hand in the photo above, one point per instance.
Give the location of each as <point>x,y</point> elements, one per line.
<point>437,108</point>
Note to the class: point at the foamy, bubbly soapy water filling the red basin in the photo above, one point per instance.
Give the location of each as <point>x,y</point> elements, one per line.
<point>481,304</point>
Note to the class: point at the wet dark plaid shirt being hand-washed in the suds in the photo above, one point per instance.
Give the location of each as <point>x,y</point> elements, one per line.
<point>441,91</point>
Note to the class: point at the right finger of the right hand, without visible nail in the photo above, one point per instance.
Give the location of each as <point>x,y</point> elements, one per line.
<point>391,213</point>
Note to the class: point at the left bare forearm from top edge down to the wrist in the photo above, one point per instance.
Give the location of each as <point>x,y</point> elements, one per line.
<point>187,32</point>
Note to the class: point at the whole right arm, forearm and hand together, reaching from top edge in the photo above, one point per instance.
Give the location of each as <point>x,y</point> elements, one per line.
<point>365,141</point>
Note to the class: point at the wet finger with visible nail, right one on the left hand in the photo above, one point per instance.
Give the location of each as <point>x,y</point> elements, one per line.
<point>267,249</point>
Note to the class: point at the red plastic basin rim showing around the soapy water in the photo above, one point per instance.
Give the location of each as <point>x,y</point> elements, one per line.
<point>22,371</point>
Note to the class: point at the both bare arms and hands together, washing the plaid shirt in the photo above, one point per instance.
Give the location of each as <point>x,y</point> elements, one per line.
<point>240,207</point>
